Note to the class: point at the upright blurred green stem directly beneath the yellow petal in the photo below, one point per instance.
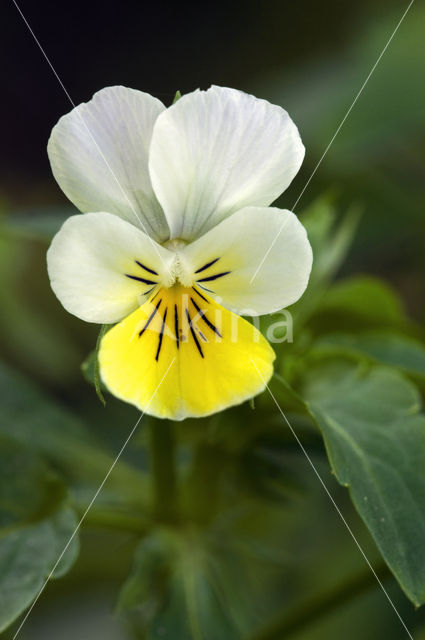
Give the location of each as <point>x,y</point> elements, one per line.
<point>163,467</point>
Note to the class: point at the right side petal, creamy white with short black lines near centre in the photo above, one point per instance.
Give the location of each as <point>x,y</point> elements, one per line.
<point>264,255</point>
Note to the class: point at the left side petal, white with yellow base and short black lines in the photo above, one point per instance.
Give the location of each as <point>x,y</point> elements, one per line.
<point>88,261</point>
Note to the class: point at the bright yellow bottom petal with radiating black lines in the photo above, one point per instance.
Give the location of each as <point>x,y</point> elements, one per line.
<point>181,354</point>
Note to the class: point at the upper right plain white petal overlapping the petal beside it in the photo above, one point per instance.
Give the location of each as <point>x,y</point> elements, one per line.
<point>216,151</point>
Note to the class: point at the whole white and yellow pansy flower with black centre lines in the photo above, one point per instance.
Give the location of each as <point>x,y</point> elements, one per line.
<point>177,241</point>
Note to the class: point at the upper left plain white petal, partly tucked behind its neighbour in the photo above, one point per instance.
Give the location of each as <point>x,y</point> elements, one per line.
<point>99,157</point>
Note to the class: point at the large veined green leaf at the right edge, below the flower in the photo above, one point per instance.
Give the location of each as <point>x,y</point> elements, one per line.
<point>375,438</point>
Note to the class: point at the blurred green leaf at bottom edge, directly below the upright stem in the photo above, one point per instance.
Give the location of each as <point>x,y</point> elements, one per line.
<point>172,593</point>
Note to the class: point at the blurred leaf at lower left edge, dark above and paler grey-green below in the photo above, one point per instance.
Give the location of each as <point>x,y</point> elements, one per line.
<point>36,524</point>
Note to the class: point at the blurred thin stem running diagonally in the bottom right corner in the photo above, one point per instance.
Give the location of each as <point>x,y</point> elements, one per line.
<point>309,612</point>
